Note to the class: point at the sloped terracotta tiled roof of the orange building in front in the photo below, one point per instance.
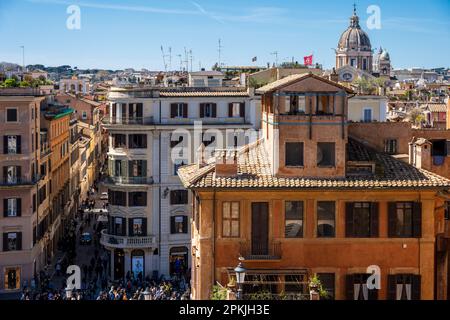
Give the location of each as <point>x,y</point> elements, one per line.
<point>254,171</point>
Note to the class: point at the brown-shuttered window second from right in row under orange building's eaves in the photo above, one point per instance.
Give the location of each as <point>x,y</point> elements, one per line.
<point>361,219</point>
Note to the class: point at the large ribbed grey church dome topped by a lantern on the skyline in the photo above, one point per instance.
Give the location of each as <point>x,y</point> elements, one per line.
<point>354,38</point>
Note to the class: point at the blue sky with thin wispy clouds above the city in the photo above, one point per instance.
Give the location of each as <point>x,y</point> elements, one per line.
<point>118,34</point>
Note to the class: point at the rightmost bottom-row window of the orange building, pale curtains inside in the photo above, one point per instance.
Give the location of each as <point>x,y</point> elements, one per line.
<point>404,287</point>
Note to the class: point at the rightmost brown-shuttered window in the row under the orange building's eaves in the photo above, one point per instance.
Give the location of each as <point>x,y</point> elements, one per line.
<point>405,219</point>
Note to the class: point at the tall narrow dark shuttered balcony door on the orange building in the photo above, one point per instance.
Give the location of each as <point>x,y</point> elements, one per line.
<point>260,228</point>
